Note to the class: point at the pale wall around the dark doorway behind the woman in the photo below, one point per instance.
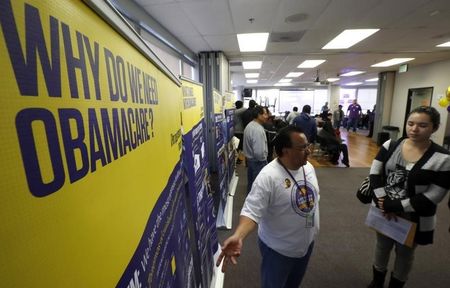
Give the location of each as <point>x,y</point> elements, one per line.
<point>434,75</point>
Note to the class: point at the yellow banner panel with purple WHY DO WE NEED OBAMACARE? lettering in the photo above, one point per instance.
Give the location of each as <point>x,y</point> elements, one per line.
<point>90,136</point>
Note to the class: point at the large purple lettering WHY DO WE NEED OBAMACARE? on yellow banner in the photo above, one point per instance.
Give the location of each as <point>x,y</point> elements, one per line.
<point>93,106</point>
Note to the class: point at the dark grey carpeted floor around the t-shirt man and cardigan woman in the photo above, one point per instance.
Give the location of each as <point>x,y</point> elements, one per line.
<point>343,251</point>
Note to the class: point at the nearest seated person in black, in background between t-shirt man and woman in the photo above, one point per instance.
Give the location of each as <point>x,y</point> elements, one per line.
<point>333,143</point>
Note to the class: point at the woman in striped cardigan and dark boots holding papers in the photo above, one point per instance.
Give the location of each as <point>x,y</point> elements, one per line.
<point>415,178</point>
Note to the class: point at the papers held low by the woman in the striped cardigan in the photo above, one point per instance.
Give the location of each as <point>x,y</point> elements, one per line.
<point>397,230</point>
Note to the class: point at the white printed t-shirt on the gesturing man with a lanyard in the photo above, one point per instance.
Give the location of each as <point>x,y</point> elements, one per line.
<point>276,204</point>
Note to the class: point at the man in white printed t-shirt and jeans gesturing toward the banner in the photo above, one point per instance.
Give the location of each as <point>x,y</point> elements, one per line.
<point>284,205</point>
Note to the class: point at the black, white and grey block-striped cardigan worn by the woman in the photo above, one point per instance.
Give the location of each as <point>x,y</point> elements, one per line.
<point>428,183</point>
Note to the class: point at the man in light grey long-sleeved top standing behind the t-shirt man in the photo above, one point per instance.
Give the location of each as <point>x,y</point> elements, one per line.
<point>255,145</point>
